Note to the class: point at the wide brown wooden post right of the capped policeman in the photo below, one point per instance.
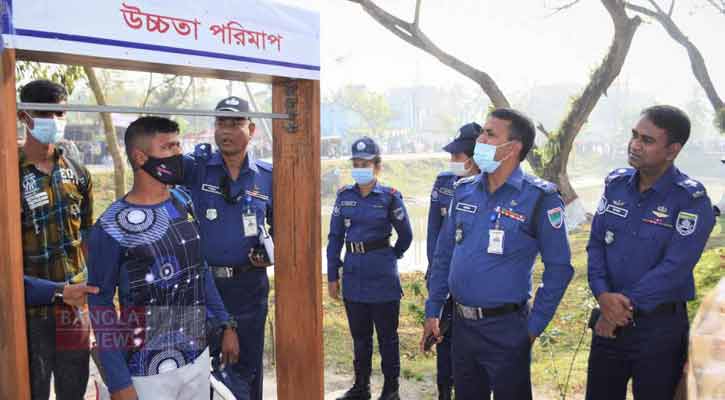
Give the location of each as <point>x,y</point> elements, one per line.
<point>298,275</point>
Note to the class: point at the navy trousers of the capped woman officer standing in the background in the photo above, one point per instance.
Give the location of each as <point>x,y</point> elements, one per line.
<point>362,317</point>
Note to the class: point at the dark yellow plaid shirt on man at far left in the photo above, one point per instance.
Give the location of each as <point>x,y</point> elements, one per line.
<point>57,210</point>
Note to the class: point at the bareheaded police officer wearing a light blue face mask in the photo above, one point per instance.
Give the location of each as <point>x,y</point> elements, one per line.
<point>497,224</point>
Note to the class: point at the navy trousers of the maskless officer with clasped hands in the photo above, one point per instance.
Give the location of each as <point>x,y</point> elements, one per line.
<point>652,353</point>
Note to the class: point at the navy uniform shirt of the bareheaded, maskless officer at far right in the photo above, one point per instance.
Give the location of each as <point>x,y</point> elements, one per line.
<point>645,245</point>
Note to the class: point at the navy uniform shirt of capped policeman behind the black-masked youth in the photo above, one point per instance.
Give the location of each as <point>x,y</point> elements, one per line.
<point>223,240</point>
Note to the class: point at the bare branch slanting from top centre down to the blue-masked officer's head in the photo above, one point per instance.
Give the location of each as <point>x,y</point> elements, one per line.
<point>415,36</point>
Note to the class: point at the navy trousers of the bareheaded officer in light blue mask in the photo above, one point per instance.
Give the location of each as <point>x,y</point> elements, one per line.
<point>492,355</point>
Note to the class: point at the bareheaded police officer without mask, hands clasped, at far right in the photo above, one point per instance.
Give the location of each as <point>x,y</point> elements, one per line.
<point>649,231</point>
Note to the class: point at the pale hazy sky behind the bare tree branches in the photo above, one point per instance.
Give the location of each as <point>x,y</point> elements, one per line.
<point>517,42</point>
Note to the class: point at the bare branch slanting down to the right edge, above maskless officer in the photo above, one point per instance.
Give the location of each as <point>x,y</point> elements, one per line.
<point>697,61</point>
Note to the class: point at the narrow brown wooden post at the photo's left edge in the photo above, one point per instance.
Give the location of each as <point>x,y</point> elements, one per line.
<point>14,377</point>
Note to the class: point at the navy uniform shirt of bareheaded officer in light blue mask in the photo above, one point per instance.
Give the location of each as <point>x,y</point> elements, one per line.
<point>531,214</point>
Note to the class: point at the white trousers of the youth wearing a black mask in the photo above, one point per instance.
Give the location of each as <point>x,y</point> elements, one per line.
<point>190,382</point>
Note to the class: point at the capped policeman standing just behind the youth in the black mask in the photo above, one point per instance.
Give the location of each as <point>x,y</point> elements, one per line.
<point>232,193</point>
